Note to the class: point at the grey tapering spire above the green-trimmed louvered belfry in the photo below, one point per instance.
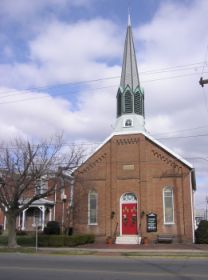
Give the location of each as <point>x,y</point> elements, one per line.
<point>129,75</point>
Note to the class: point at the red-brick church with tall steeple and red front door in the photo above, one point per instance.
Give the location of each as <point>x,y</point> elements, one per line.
<point>133,186</point>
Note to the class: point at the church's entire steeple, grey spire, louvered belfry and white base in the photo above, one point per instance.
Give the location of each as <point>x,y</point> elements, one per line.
<point>130,96</point>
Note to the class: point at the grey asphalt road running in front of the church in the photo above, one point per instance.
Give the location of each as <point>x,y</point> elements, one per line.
<point>45,267</point>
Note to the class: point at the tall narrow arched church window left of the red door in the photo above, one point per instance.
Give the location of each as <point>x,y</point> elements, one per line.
<point>92,208</point>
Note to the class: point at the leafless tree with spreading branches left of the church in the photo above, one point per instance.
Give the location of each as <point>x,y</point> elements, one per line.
<point>21,165</point>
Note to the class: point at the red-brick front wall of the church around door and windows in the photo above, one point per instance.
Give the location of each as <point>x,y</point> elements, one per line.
<point>133,163</point>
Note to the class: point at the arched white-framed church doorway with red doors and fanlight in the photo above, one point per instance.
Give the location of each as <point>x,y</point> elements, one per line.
<point>129,214</point>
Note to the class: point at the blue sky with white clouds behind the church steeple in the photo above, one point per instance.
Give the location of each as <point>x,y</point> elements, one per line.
<point>50,46</point>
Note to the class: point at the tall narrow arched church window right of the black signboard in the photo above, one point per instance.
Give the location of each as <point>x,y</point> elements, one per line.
<point>168,205</point>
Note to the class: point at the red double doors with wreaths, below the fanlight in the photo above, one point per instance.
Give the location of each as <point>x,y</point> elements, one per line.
<point>129,219</point>
